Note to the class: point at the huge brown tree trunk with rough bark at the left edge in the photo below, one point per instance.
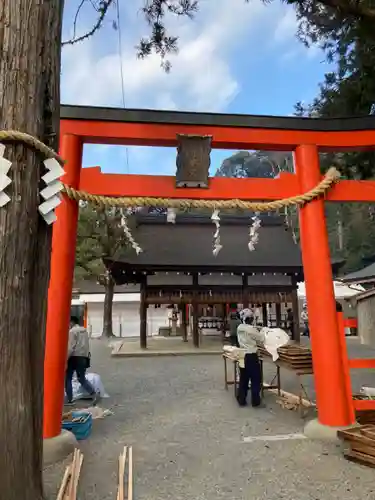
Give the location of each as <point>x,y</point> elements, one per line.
<point>29,90</point>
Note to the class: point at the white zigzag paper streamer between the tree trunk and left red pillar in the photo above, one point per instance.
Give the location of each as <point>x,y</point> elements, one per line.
<point>52,192</point>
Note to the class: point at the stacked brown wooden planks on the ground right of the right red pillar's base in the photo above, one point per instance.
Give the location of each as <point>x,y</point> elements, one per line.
<point>361,444</point>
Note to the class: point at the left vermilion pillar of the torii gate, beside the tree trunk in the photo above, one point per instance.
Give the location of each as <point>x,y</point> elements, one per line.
<point>60,290</point>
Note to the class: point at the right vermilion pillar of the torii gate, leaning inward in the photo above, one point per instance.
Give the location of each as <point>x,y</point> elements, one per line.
<point>329,373</point>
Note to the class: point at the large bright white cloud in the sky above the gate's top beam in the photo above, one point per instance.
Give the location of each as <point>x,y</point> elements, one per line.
<point>201,77</point>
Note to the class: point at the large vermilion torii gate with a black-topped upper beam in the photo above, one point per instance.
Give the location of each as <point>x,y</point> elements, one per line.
<point>305,137</point>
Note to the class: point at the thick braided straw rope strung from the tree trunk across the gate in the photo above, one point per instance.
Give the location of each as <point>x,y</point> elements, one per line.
<point>330,178</point>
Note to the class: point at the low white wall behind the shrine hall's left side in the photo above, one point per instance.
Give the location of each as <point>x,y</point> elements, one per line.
<point>125,317</point>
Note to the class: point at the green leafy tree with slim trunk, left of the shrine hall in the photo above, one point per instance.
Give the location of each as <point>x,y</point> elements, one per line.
<point>100,235</point>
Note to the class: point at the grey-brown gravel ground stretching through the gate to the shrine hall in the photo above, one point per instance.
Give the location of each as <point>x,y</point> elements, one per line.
<point>187,436</point>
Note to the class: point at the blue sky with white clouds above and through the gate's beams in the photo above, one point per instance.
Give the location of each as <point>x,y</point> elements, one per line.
<point>234,57</point>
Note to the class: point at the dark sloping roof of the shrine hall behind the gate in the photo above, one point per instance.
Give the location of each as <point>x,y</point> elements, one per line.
<point>188,244</point>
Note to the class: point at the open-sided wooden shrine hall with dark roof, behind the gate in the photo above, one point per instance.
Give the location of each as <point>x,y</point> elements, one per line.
<point>177,266</point>
